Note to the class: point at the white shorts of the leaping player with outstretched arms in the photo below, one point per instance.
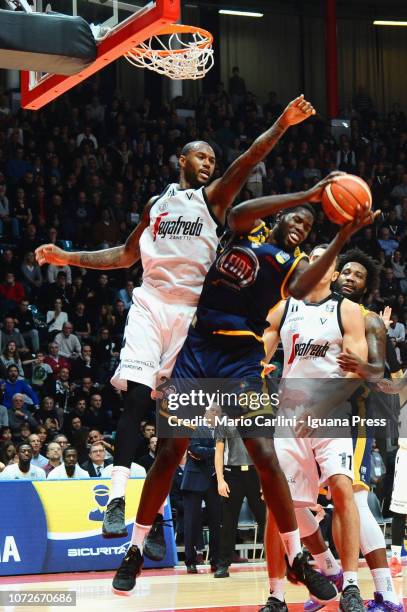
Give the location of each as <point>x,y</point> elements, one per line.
<point>154,334</point>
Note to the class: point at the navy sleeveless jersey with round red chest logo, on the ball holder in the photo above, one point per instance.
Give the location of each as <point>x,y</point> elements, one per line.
<point>247,279</point>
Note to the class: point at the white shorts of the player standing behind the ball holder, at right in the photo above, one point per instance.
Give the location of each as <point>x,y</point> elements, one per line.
<point>308,463</point>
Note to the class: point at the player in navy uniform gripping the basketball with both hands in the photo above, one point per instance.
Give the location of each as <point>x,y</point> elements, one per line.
<point>253,272</point>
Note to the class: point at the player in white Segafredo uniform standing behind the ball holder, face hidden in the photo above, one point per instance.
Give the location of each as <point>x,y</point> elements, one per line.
<point>313,333</point>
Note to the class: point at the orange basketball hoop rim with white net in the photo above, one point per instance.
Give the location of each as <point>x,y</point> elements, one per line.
<point>190,57</point>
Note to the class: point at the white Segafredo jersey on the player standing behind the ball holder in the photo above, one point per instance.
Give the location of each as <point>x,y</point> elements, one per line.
<point>312,338</point>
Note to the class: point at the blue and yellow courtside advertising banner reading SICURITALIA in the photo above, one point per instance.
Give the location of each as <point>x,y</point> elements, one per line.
<point>55,526</point>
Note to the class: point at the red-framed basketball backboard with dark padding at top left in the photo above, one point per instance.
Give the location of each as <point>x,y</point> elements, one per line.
<point>117,26</point>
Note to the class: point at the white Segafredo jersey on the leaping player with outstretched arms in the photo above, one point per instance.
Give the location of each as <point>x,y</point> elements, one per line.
<point>179,245</point>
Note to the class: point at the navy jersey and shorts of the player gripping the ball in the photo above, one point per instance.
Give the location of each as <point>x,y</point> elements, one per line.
<point>248,278</point>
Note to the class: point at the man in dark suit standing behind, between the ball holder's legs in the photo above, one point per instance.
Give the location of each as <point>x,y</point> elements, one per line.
<point>199,483</point>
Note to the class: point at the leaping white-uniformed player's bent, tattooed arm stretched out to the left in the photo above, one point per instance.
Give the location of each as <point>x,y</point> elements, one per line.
<point>123,256</point>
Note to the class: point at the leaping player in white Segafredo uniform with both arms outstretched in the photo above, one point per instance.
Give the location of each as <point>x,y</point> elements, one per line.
<point>176,241</point>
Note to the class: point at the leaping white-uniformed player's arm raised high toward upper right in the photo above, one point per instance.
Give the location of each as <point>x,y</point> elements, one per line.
<point>223,191</point>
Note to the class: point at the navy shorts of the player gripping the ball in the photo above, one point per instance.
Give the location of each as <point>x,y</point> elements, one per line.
<point>228,369</point>
